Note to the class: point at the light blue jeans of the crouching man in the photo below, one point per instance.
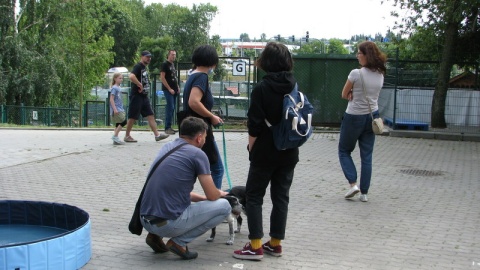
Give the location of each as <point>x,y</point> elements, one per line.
<point>196,220</point>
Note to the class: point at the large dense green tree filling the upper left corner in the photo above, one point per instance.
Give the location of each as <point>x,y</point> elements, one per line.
<point>54,52</point>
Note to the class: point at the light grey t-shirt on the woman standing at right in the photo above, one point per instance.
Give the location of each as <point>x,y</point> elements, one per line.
<point>373,81</point>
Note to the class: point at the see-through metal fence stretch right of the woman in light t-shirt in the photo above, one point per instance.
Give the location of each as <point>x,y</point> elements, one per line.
<point>406,99</point>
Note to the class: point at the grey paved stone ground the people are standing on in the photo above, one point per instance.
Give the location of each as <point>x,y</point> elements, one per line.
<point>423,210</point>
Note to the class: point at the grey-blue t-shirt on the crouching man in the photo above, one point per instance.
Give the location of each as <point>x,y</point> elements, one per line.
<point>167,193</point>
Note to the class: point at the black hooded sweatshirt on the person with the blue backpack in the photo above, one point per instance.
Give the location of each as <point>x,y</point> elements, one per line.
<point>267,102</point>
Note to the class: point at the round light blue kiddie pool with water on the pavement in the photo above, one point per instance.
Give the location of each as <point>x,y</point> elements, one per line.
<point>43,235</point>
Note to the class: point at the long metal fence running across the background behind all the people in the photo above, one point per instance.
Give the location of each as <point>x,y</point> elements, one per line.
<point>405,100</point>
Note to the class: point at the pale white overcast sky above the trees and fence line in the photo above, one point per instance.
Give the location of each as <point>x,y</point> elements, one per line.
<point>322,18</point>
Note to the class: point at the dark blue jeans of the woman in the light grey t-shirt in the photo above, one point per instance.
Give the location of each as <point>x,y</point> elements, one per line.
<point>357,128</point>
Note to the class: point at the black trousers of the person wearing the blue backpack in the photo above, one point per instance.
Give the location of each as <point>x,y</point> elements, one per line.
<point>280,179</point>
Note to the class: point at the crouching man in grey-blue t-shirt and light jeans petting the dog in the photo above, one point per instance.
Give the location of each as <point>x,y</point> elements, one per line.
<point>167,209</point>
